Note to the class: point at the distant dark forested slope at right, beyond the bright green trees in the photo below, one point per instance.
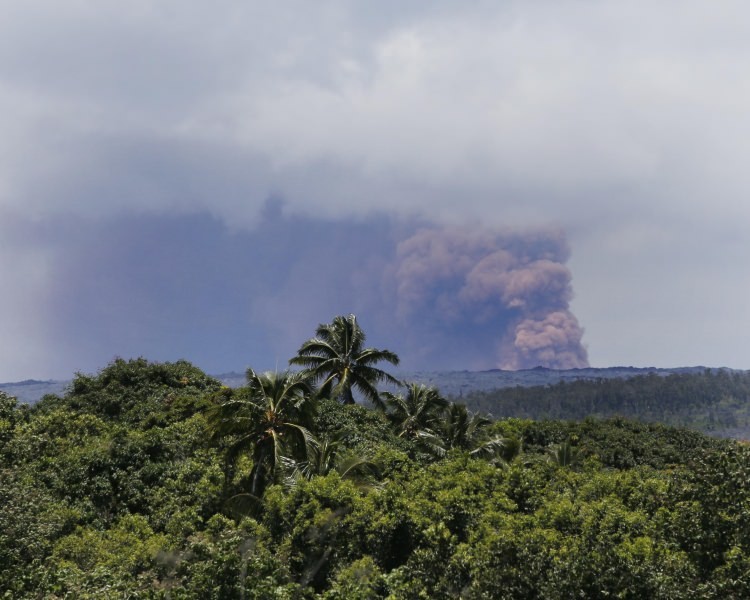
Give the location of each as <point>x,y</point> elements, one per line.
<point>715,401</point>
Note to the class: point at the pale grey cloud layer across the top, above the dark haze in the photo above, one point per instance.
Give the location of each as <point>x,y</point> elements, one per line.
<point>548,107</point>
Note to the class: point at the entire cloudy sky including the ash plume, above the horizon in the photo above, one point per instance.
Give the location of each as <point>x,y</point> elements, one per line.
<point>485,184</point>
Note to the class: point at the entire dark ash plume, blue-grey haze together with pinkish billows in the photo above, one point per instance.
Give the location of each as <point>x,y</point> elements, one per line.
<point>168,287</point>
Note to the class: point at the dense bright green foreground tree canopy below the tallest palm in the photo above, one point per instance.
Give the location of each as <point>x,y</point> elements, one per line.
<point>131,485</point>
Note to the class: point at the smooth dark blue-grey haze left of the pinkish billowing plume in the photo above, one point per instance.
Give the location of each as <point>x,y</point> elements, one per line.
<point>167,286</point>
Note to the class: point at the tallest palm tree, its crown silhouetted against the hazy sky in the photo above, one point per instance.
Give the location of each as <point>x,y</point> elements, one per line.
<point>337,356</point>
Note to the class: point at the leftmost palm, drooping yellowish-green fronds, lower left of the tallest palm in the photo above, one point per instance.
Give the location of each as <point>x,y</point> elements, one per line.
<point>268,418</point>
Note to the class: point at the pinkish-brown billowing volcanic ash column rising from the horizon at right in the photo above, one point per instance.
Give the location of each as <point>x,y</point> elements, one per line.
<point>487,298</point>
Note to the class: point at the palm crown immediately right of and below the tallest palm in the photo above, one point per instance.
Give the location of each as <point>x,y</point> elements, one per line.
<point>417,415</point>
